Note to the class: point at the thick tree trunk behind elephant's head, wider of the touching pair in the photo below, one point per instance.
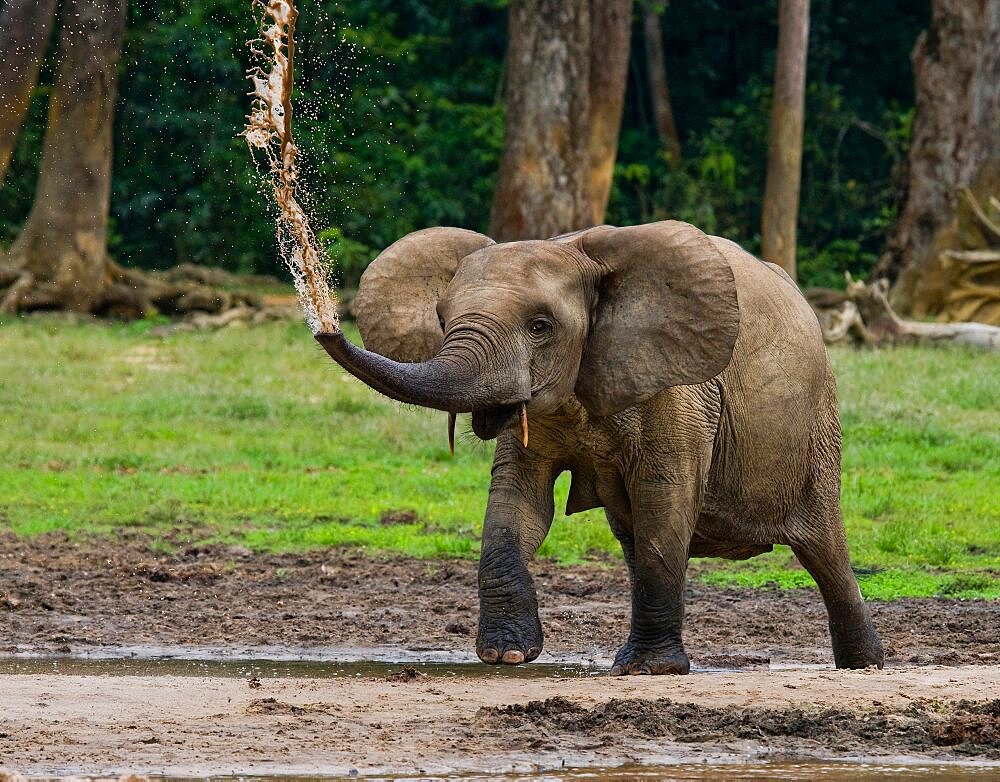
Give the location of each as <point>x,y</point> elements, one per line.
<point>544,174</point>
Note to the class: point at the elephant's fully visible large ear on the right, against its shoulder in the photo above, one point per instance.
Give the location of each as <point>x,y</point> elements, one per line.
<point>666,314</point>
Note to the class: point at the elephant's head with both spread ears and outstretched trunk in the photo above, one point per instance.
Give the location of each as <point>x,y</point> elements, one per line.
<point>453,321</point>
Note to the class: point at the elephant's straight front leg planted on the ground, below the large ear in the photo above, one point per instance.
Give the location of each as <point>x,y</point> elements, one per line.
<point>663,522</point>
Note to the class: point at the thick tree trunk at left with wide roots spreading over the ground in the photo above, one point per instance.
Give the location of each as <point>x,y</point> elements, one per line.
<point>60,260</point>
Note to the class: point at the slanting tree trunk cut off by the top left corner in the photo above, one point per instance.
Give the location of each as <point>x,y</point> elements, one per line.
<point>25,26</point>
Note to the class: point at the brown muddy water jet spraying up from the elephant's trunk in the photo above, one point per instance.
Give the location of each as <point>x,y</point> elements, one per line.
<point>269,130</point>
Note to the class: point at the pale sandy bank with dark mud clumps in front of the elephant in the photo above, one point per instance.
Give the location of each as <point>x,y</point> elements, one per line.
<point>441,723</point>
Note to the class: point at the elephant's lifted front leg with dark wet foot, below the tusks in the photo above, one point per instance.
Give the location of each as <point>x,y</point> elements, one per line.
<point>518,516</point>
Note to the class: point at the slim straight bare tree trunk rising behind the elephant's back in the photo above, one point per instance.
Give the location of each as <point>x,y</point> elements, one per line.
<point>784,154</point>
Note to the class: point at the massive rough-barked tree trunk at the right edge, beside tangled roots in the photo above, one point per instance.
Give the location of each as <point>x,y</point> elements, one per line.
<point>956,65</point>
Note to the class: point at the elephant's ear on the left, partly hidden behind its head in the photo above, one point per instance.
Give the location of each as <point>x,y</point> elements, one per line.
<point>396,305</point>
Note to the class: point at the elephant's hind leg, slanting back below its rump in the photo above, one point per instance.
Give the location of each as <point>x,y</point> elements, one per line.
<point>855,642</point>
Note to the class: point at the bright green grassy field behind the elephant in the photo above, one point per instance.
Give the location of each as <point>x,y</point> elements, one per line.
<point>252,435</point>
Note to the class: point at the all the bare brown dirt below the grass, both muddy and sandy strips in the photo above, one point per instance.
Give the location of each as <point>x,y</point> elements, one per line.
<point>938,699</point>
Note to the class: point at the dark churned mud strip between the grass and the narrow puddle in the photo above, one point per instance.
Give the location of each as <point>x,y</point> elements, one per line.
<point>59,596</point>
